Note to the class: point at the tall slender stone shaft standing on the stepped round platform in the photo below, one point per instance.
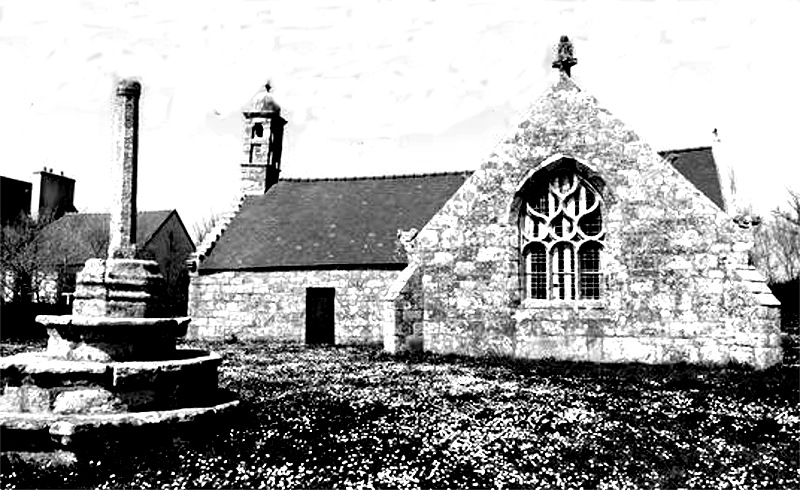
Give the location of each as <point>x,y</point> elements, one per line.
<point>125,110</point>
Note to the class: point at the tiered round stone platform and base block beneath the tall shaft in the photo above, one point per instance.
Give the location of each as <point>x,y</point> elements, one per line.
<point>105,378</point>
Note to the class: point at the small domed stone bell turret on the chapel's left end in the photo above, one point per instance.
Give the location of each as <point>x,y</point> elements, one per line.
<point>262,143</point>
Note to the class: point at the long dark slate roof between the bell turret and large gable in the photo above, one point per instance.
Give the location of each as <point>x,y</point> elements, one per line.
<point>309,223</point>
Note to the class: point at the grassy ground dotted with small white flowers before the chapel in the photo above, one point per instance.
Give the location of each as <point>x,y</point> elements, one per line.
<point>355,417</point>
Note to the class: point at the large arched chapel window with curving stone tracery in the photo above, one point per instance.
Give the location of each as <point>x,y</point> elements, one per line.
<point>561,235</point>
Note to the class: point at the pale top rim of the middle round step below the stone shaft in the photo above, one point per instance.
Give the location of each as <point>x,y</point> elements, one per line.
<point>41,362</point>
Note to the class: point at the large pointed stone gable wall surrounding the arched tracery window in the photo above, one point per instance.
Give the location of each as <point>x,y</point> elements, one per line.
<point>676,286</point>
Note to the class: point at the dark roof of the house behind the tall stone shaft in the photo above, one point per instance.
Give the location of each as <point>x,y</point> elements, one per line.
<point>78,237</point>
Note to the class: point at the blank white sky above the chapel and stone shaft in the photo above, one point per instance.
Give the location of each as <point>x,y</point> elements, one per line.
<point>380,87</point>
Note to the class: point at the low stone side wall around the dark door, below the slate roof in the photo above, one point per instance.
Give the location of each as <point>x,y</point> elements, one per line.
<point>272,304</point>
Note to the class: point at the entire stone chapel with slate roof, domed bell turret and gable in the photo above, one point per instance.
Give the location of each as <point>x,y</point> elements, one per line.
<point>574,240</point>
